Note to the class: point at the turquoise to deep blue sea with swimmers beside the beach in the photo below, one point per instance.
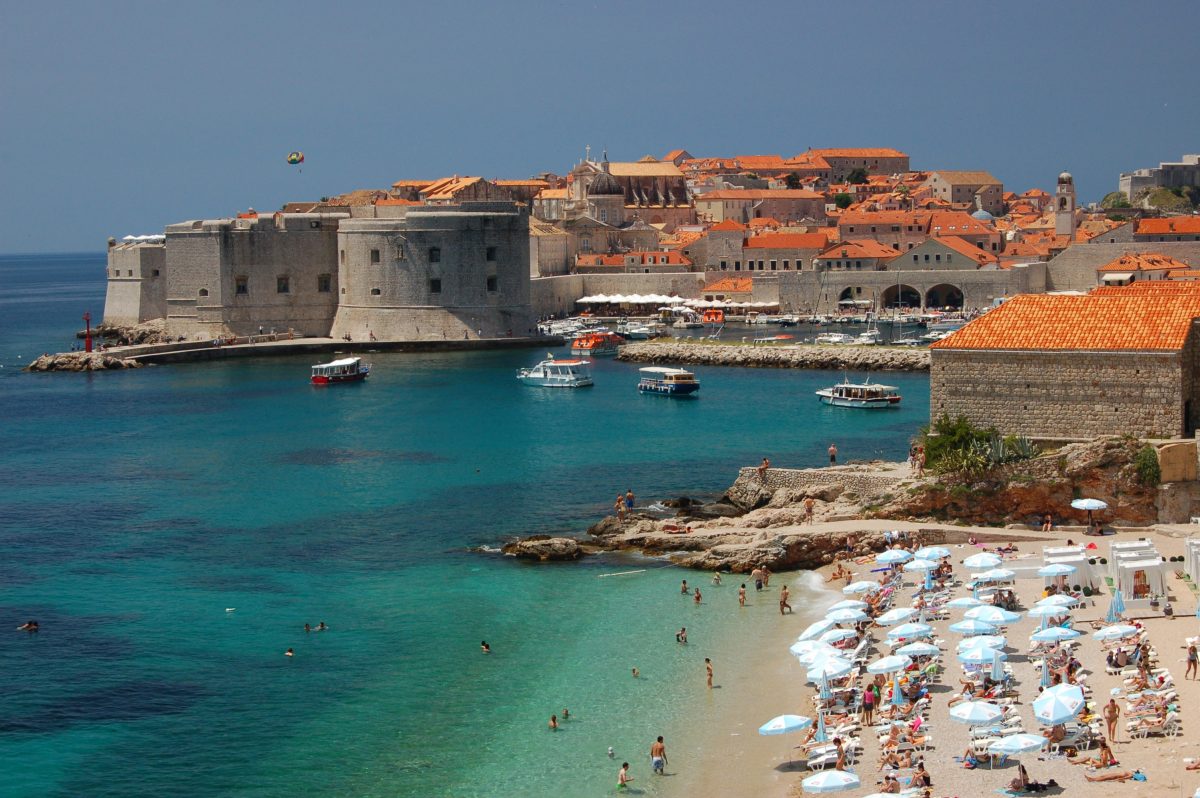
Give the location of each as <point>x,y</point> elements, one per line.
<point>173,530</point>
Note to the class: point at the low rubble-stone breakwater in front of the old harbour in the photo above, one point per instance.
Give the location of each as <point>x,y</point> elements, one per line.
<point>776,357</point>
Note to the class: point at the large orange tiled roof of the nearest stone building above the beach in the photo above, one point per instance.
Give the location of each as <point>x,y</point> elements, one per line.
<point>1106,320</point>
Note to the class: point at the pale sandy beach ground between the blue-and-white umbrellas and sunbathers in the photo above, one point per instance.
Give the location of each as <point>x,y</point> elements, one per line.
<point>765,681</point>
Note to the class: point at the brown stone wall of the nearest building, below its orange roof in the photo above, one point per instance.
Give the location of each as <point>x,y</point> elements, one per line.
<point>1061,394</point>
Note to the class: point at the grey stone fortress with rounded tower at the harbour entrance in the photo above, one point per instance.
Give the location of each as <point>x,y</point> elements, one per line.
<point>419,273</point>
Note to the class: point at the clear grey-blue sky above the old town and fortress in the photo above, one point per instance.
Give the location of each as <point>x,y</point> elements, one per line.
<point>121,118</point>
